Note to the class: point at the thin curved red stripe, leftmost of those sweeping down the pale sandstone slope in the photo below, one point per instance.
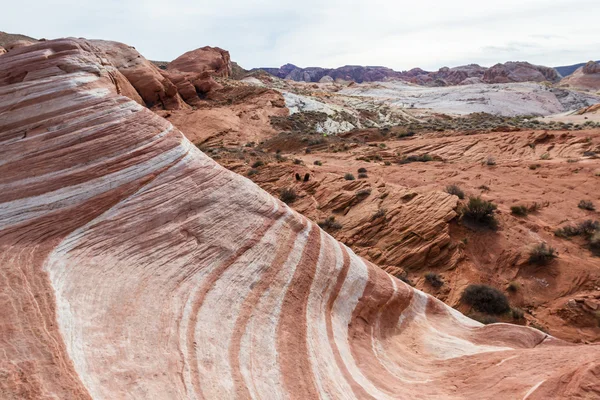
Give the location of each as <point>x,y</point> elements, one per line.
<point>208,284</point>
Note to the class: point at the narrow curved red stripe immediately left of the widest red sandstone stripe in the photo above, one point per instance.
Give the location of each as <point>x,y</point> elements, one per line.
<point>250,303</point>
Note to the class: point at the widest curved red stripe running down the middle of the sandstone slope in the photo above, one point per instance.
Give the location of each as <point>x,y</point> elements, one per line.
<point>292,343</point>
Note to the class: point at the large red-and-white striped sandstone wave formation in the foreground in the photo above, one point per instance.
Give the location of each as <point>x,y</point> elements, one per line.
<point>134,266</point>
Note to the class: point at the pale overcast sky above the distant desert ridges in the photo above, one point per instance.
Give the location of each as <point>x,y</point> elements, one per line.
<point>395,33</point>
